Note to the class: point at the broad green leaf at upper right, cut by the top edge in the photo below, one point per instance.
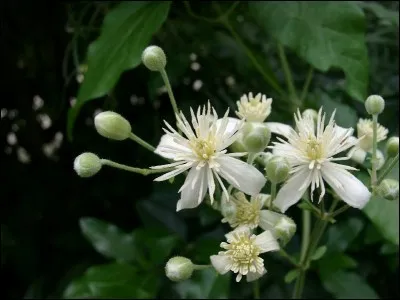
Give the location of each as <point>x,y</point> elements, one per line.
<point>326,34</point>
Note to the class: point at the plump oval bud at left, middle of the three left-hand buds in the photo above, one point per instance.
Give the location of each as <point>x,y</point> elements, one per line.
<point>112,125</point>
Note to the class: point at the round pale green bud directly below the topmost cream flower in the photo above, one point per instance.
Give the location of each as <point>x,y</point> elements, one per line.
<point>256,137</point>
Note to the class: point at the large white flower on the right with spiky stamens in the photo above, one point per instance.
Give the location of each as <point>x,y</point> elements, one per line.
<point>310,152</point>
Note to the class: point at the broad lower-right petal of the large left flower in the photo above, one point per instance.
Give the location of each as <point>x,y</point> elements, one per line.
<point>241,175</point>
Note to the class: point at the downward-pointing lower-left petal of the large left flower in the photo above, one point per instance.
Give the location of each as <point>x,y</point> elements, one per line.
<point>195,189</point>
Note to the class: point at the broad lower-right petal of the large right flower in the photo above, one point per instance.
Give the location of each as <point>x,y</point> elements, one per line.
<point>347,186</point>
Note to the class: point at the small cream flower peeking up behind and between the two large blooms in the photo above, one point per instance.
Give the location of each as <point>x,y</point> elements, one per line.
<point>257,109</point>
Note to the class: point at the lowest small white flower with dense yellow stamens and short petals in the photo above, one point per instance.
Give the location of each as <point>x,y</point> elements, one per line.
<point>242,253</point>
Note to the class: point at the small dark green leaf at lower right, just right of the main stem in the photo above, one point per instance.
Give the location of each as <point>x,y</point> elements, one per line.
<point>340,235</point>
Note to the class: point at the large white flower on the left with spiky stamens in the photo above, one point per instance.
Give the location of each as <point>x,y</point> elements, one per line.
<point>202,151</point>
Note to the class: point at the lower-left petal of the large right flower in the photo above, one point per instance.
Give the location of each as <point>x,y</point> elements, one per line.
<point>291,192</point>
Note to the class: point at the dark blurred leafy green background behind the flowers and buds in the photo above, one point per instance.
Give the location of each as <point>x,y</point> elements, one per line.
<point>111,235</point>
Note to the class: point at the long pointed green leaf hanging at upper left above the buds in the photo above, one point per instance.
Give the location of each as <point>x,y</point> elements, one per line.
<point>127,30</point>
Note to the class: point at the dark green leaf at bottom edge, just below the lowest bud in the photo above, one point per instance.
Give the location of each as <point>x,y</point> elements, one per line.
<point>204,284</point>
